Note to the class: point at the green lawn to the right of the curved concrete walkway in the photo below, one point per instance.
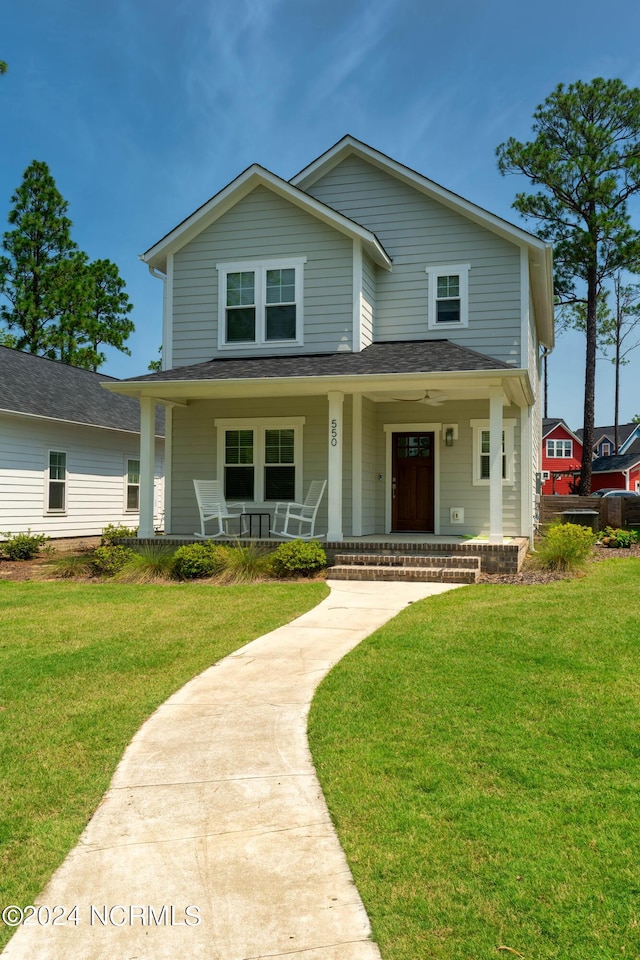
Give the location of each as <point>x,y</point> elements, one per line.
<point>480,756</point>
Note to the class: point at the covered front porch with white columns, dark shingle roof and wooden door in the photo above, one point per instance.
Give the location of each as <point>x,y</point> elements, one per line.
<point>443,454</point>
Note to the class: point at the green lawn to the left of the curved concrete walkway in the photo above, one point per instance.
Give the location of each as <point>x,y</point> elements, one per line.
<point>81,667</point>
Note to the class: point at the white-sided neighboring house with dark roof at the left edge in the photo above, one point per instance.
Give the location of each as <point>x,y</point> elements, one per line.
<point>69,450</point>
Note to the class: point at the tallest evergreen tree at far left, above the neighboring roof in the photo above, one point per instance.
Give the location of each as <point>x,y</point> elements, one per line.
<point>36,247</point>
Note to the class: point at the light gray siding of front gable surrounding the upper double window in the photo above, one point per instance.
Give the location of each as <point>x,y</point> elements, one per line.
<point>263,226</point>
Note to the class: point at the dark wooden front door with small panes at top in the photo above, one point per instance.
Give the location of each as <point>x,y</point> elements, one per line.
<point>412,482</point>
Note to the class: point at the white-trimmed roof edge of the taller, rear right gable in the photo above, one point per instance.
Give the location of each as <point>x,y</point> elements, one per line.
<point>540,252</point>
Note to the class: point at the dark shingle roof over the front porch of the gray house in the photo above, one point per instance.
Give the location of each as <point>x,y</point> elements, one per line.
<point>415,356</point>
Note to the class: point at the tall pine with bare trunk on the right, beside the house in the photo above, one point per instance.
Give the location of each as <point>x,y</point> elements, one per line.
<point>586,159</point>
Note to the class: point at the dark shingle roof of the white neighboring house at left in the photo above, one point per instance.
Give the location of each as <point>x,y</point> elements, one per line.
<point>48,388</point>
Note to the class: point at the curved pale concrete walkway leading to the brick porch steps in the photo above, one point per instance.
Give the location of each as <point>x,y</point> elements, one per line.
<point>216,807</point>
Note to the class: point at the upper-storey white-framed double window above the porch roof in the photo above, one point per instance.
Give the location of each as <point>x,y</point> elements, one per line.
<point>260,302</point>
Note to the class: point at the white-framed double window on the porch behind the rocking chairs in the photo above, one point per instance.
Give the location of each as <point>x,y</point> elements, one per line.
<point>260,460</point>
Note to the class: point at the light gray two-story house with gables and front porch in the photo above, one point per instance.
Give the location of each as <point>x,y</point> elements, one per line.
<point>358,323</point>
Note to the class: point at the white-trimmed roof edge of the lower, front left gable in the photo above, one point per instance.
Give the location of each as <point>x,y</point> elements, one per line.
<point>256,176</point>
